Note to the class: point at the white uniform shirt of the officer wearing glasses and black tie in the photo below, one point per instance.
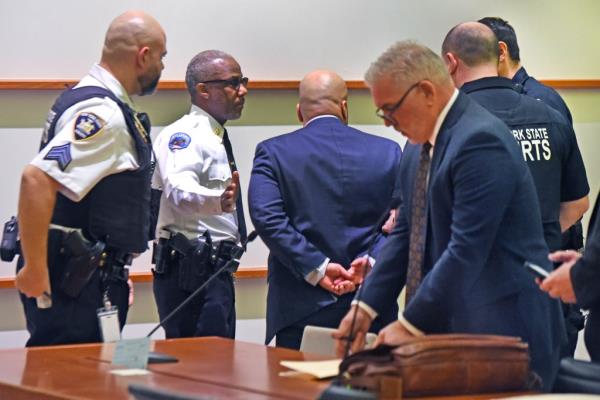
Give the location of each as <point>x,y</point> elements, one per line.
<point>193,171</point>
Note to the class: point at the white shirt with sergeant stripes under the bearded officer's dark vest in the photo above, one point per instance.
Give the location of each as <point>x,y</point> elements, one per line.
<point>109,150</point>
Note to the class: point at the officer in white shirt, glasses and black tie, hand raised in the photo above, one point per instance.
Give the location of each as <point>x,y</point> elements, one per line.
<point>201,218</point>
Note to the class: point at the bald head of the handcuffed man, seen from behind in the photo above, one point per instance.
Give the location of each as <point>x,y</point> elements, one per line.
<point>322,92</point>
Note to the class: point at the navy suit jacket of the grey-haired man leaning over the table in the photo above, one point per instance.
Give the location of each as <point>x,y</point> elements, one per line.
<point>483,223</point>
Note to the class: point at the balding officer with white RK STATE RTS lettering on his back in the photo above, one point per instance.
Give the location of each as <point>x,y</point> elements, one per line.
<point>547,140</point>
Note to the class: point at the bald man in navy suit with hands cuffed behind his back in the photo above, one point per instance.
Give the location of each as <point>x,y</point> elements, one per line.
<point>315,198</point>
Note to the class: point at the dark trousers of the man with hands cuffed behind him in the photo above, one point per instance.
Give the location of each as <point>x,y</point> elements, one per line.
<point>328,317</point>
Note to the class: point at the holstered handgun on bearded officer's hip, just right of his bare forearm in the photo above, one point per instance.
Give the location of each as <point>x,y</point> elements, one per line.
<point>83,257</point>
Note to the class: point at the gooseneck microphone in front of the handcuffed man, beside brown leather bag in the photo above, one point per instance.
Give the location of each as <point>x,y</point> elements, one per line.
<point>336,390</point>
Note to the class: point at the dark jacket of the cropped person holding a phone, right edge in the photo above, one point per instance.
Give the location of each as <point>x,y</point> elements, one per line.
<point>585,274</point>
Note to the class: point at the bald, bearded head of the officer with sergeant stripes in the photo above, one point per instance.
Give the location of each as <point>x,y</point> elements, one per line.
<point>134,46</point>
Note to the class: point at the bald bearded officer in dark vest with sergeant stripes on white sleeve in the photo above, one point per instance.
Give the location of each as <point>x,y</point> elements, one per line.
<point>84,205</point>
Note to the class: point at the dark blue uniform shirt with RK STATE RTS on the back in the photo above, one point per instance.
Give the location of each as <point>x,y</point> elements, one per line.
<point>547,142</point>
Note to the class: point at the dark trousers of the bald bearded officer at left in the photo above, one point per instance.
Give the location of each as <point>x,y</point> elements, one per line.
<point>72,320</point>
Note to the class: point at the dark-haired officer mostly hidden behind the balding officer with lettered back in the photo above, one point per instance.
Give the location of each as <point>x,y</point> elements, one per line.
<point>509,66</point>
